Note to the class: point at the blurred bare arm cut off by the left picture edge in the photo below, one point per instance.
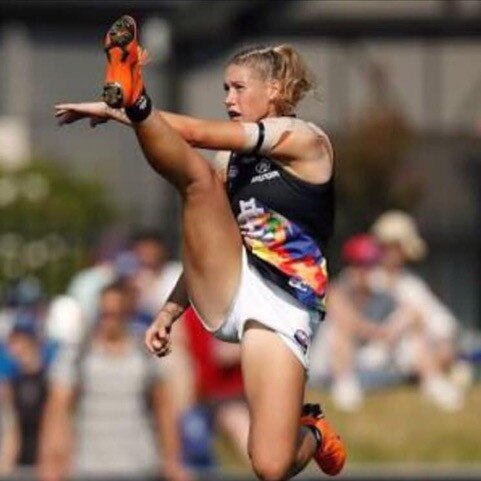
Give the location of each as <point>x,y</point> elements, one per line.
<point>10,439</point>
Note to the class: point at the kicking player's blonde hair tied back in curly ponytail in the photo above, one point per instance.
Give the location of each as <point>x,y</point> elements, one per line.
<point>283,64</point>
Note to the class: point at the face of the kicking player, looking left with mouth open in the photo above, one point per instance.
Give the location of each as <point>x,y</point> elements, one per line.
<point>249,98</point>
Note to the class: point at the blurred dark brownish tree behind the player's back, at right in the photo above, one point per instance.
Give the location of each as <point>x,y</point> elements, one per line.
<point>373,174</point>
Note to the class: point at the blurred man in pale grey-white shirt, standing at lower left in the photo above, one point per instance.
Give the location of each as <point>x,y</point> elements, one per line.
<point>104,384</point>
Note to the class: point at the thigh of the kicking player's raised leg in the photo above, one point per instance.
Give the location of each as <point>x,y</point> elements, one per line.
<point>212,248</point>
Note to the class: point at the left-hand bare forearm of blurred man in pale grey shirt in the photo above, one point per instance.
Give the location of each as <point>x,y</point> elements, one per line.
<point>56,441</point>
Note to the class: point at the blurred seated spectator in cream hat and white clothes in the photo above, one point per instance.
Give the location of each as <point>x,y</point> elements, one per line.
<point>433,351</point>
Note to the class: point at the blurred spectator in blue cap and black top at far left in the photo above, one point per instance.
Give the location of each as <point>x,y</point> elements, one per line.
<point>23,379</point>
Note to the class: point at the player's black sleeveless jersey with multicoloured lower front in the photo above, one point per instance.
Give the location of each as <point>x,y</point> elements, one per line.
<point>285,224</point>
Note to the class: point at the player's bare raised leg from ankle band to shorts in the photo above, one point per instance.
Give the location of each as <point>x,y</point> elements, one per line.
<point>212,246</point>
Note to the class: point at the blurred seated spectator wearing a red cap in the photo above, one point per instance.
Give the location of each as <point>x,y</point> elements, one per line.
<point>359,319</point>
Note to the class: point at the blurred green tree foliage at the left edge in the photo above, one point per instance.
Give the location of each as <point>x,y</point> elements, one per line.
<point>49,219</point>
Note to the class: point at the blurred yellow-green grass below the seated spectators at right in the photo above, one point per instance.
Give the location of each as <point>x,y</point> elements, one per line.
<point>398,426</point>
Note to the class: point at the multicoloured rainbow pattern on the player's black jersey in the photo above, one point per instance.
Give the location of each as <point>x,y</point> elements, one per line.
<point>281,243</point>
